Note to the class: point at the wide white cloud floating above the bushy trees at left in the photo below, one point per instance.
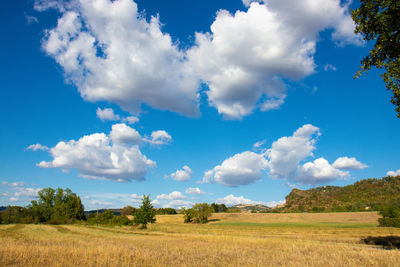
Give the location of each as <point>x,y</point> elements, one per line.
<point>101,156</point>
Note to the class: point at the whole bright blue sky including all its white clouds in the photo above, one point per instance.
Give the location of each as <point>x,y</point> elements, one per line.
<point>189,101</point>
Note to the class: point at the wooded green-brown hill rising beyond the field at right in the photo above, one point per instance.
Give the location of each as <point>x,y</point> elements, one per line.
<point>369,194</point>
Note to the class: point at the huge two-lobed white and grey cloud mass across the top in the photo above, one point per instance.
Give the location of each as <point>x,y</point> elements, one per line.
<point>112,53</point>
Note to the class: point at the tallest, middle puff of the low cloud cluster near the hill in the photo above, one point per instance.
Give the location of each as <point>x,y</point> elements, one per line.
<point>287,152</point>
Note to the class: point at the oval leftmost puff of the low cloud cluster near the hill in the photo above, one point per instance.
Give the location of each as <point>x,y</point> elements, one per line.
<point>241,169</point>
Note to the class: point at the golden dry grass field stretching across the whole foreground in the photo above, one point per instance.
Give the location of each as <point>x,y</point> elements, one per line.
<point>326,239</point>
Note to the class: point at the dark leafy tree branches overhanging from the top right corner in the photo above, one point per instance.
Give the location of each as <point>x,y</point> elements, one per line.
<point>378,20</point>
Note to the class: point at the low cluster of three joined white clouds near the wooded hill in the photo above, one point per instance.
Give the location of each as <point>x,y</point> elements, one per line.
<point>286,159</point>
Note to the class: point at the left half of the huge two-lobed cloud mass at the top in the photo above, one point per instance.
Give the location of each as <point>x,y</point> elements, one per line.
<point>111,53</point>
